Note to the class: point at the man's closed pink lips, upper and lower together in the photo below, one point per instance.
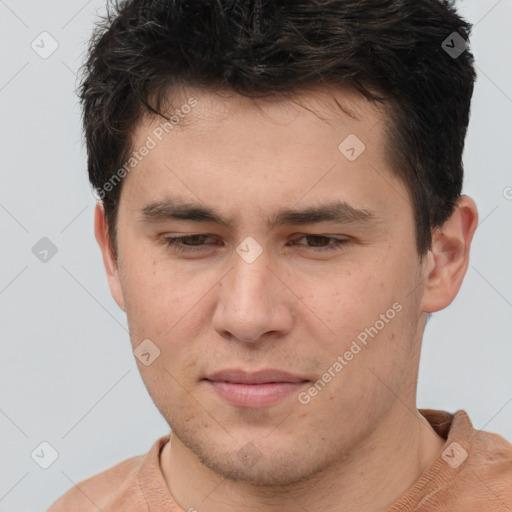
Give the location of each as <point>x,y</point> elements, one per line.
<point>254,390</point>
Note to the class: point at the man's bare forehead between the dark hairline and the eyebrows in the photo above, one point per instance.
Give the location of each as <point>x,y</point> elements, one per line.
<point>324,144</point>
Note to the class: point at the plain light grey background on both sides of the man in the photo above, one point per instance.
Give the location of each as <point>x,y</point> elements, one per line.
<point>67,373</point>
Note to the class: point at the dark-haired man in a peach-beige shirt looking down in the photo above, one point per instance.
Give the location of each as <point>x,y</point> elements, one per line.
<point>280,211</point>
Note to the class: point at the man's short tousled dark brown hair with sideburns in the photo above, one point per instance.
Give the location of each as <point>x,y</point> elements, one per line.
<point>391,51</point>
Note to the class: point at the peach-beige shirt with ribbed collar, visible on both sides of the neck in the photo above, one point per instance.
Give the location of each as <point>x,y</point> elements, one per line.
<point>473,473</point>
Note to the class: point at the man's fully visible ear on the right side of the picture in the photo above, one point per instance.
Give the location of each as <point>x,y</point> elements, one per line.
<point>448,258</point>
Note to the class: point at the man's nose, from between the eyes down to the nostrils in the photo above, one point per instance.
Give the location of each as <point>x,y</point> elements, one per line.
<point>253,302</point>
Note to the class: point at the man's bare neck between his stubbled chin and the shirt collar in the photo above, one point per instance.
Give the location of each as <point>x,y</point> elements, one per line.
<point>370,477</point>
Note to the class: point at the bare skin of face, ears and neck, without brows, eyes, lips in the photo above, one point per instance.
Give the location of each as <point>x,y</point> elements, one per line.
<point>360,442</point>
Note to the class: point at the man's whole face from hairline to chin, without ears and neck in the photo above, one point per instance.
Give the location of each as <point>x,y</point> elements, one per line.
<point>334,299</point>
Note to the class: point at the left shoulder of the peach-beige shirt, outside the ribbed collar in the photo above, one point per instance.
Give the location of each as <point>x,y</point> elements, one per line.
<point>116,486</point>
